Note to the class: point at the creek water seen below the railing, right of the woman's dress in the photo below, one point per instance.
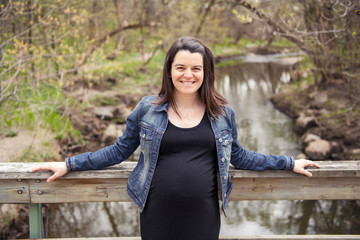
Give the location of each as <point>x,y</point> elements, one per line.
<point>292,217</point>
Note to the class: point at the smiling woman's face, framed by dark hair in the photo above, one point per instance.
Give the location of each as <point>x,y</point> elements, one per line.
<point>187,72</point>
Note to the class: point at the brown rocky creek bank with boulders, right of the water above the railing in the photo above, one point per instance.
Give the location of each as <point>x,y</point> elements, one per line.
<point>325,117</point>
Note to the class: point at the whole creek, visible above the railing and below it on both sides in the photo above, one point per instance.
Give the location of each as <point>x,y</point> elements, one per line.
<point>248,88</point>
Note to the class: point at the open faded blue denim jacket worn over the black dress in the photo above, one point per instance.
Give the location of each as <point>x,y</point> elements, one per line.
<point>146,125</point>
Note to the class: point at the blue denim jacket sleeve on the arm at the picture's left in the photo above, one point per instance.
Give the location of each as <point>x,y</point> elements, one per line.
<point>121,150</point>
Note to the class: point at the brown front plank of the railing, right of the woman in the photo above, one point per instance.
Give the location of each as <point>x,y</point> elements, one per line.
<point>296,188</point>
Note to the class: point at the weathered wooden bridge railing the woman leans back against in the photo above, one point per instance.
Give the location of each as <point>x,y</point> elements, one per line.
<point>335,180</point>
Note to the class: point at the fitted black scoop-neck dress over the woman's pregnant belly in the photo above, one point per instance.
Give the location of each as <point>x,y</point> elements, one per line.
<point>183,198</point>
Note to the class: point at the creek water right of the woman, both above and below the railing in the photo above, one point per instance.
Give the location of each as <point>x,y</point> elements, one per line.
<point>264,129</point>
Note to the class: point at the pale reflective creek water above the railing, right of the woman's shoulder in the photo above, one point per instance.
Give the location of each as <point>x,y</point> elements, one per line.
<point>248,88</point>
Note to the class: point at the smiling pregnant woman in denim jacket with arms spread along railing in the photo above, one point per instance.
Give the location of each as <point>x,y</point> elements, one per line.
<point>188,138</point>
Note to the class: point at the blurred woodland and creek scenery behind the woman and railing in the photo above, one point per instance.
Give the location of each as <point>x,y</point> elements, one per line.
<point>71,72</point>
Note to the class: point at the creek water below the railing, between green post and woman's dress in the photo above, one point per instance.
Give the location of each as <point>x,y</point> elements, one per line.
<point>110,219</point>
